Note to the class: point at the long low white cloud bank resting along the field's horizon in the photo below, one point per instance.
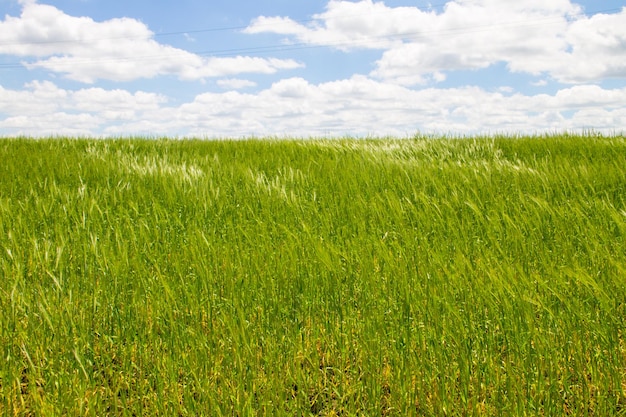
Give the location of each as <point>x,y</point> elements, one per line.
<point>355,106</point>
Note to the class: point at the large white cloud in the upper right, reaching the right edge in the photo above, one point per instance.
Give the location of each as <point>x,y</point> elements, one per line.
<point>531,36</point>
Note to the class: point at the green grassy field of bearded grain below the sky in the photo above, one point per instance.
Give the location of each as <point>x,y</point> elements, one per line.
<point>378,277</point>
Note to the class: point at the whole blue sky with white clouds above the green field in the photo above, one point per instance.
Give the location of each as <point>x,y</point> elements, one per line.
<point>314,68</point>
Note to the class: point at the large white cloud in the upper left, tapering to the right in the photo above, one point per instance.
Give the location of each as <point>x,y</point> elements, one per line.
<point>117,49</point>
